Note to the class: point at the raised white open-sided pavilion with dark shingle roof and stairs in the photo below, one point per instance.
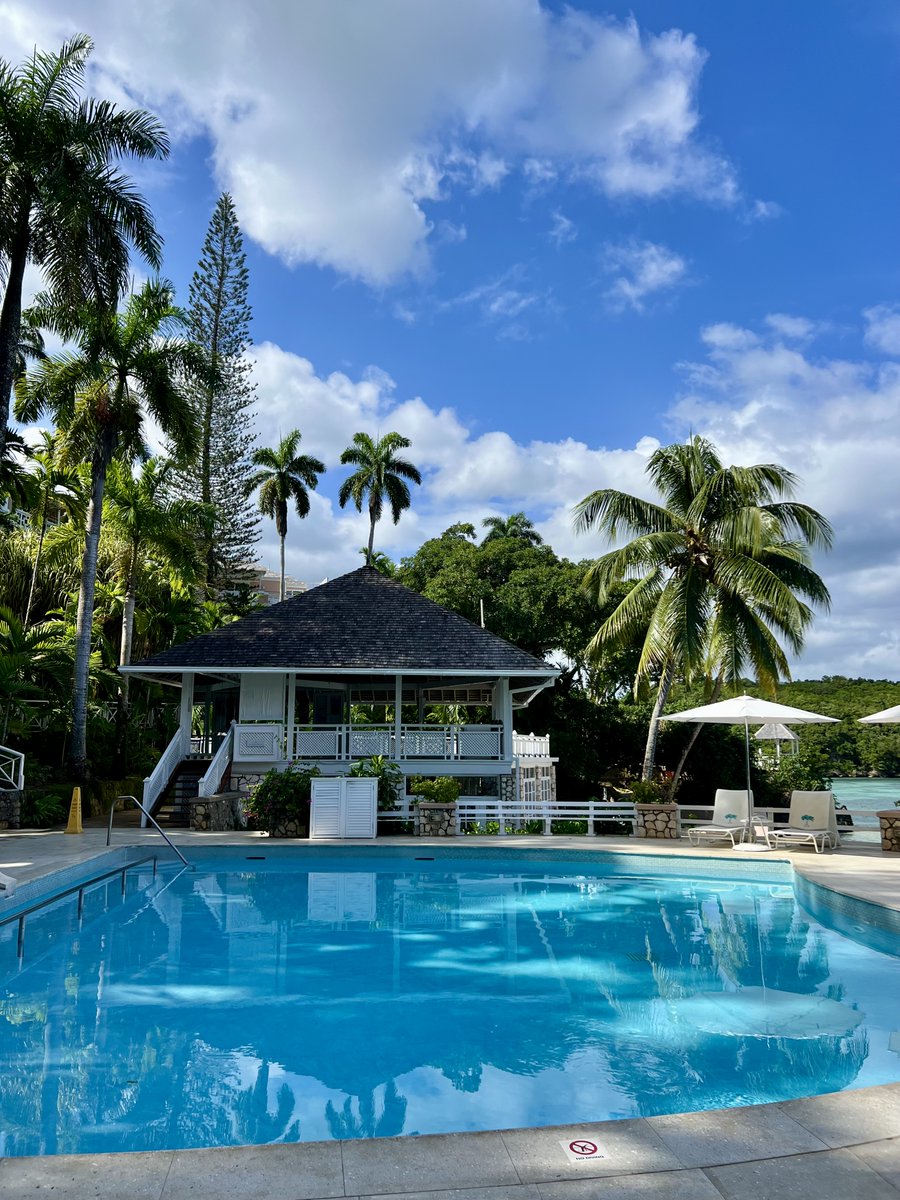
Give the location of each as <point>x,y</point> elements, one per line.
<point>301,681</point>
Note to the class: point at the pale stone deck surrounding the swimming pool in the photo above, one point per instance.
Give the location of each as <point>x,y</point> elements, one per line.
<point>844,1147</point>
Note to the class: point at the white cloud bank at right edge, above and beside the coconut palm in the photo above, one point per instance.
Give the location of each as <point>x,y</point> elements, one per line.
<point>836,424</point>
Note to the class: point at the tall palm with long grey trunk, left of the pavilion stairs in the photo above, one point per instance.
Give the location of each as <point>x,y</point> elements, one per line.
<point>127,365</point>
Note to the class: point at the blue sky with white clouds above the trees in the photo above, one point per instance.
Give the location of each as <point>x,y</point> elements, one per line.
<point>541,241</point>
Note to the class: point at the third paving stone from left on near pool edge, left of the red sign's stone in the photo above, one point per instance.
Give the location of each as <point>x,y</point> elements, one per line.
<point>431,1163</point>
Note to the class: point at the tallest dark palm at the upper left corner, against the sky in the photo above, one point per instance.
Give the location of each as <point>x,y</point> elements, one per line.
<point>64,206</point>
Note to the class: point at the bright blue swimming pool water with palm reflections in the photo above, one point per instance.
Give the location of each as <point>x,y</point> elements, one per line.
<point>283,1000</point>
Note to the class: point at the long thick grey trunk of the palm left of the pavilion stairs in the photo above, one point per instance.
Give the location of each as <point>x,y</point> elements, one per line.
<point>85,621</point>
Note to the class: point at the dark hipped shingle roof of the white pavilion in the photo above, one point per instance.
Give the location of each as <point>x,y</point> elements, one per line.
<point>363,622</point>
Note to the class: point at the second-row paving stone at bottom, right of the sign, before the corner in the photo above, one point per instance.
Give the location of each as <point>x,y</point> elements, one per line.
<point>830,1175</point>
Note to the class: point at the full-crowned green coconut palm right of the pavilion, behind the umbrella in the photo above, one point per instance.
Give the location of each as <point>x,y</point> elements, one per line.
<point>721,572</point>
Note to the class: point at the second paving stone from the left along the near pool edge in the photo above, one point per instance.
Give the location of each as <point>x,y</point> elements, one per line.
<point>257,1173</point>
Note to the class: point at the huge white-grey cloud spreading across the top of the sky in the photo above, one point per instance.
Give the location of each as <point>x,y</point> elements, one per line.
<point>339,139</point>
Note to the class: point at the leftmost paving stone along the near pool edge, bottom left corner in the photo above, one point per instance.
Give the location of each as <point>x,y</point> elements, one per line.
<point>87,1177</point>
